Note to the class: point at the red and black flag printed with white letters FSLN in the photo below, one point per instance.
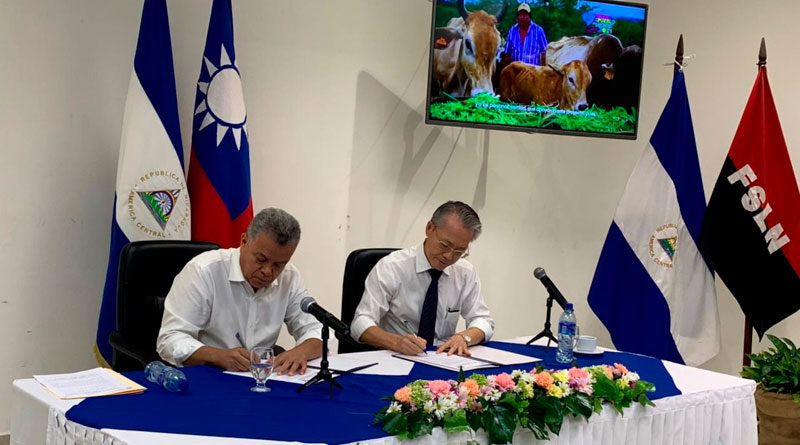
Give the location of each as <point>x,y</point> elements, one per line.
<point>752,229</point>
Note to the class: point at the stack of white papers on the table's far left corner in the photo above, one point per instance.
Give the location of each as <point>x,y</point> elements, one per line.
<point>91,383</point>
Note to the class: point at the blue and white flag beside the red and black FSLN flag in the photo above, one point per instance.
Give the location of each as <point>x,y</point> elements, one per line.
<point>652,288</point>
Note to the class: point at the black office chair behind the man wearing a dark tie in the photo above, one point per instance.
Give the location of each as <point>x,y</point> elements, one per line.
<point>359,263</point>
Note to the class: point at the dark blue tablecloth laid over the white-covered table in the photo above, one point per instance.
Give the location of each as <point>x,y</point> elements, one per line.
<point>219,404</point>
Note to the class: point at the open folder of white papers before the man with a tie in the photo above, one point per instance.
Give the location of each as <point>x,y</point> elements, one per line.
<point>482,357</point>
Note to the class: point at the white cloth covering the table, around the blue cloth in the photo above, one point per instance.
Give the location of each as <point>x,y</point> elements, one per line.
<point>713,408</point>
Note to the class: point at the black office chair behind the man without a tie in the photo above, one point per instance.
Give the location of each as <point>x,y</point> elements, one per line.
<point>146,272</point>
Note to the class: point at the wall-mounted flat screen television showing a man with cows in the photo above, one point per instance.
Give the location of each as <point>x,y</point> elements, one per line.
<point>576,70</point>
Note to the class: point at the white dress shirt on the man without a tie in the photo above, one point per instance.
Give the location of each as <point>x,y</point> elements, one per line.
<point>210,302</point>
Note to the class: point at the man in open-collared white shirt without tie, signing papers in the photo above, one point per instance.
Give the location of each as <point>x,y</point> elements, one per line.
<point>227,301</point>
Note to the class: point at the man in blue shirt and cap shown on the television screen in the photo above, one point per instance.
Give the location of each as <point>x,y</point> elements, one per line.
<point>526,41</point>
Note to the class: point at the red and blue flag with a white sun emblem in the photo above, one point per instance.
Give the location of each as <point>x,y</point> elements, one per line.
<point>219,166</point>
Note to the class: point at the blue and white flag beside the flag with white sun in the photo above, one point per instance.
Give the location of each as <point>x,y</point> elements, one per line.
<point>151,200</point>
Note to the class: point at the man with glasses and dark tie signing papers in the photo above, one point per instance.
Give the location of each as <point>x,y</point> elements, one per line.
<point>413,297</point>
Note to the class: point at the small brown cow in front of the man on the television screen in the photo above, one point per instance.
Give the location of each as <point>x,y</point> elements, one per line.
<point>547,85</point>
